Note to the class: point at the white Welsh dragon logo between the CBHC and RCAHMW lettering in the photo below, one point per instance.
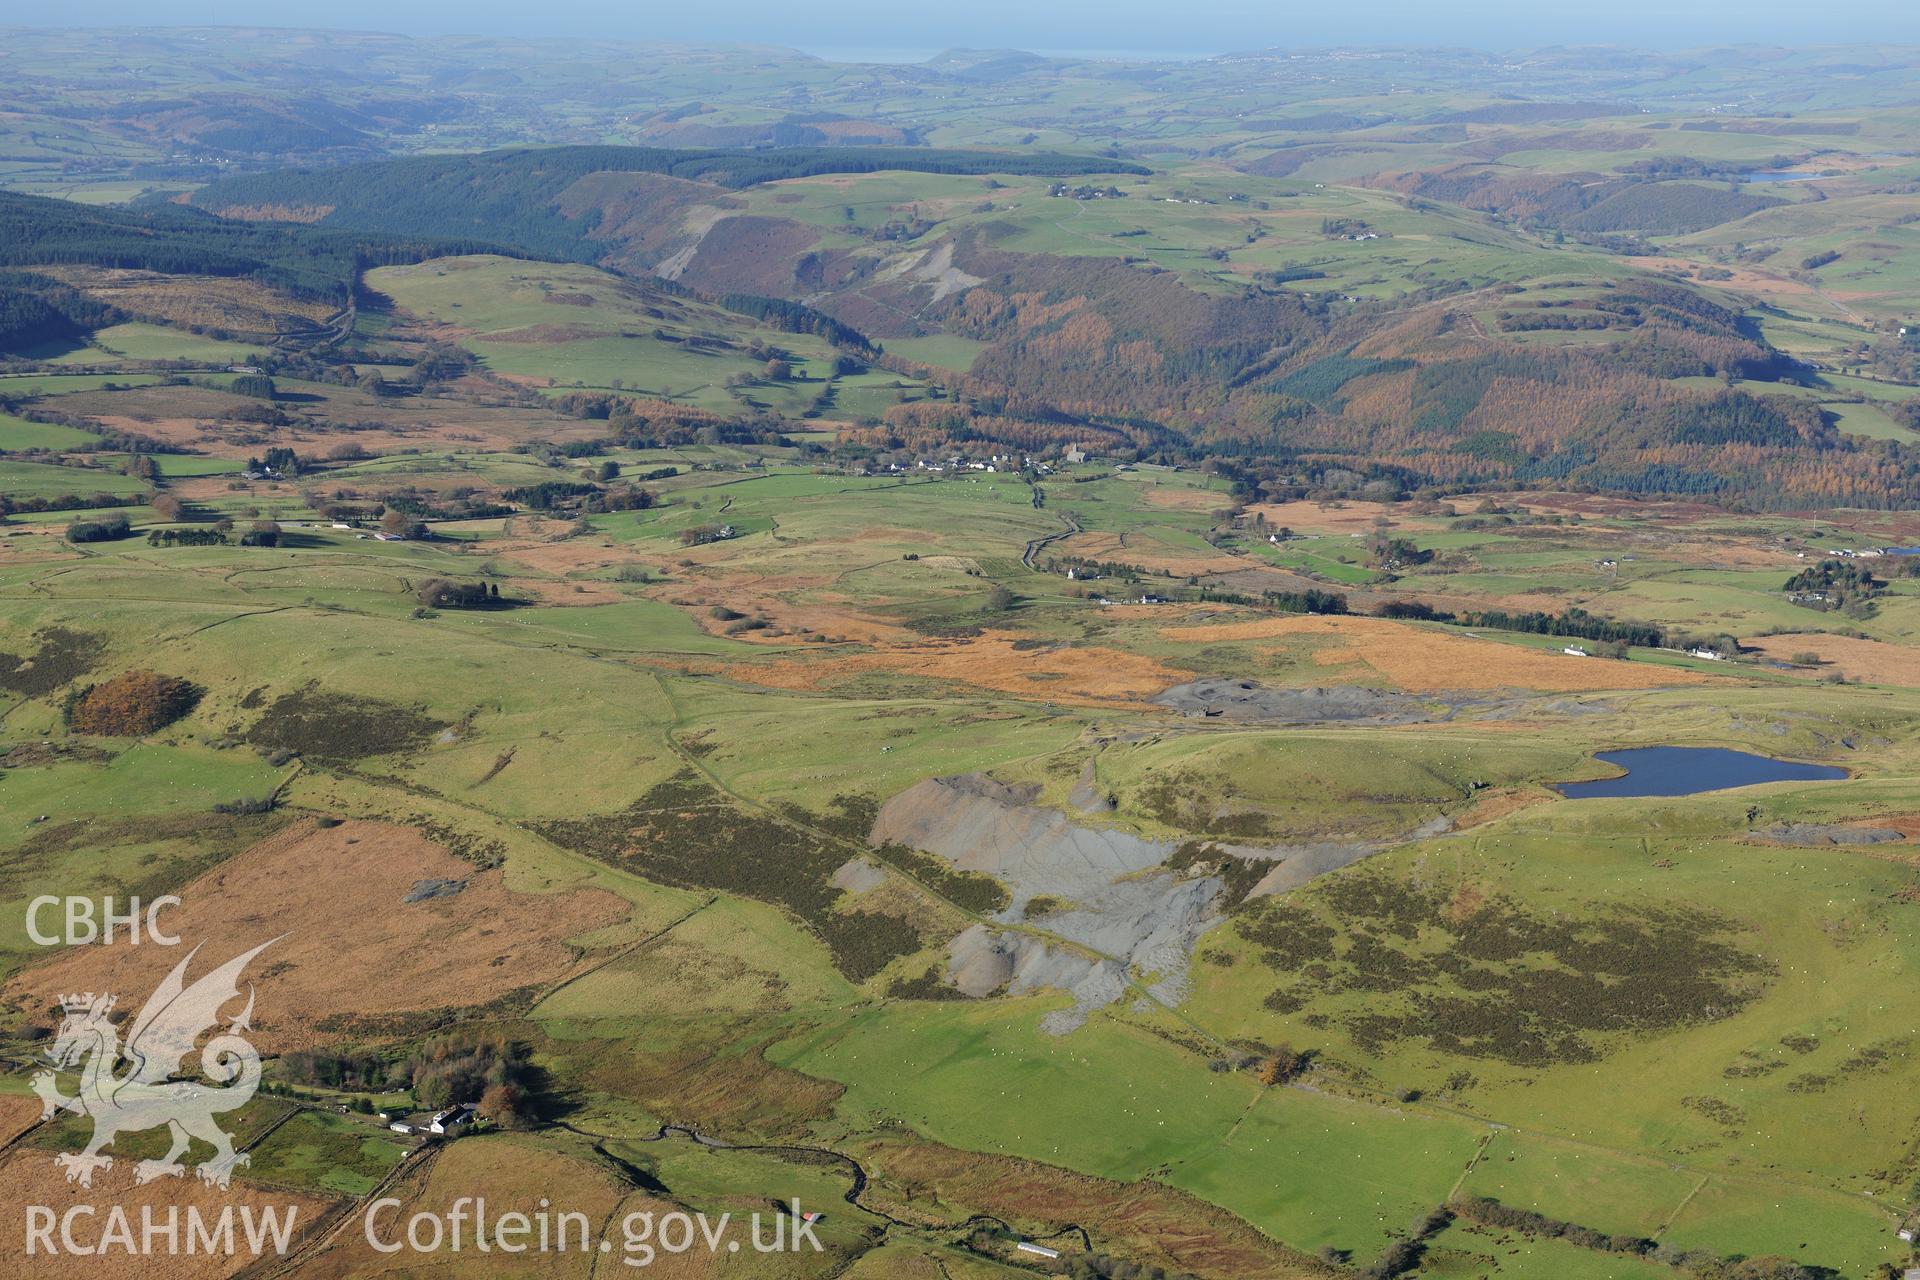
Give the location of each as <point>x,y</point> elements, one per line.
<point>147,1097</point>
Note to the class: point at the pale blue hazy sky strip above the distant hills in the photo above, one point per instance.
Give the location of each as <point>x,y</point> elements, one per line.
<point>1176,28</point>
